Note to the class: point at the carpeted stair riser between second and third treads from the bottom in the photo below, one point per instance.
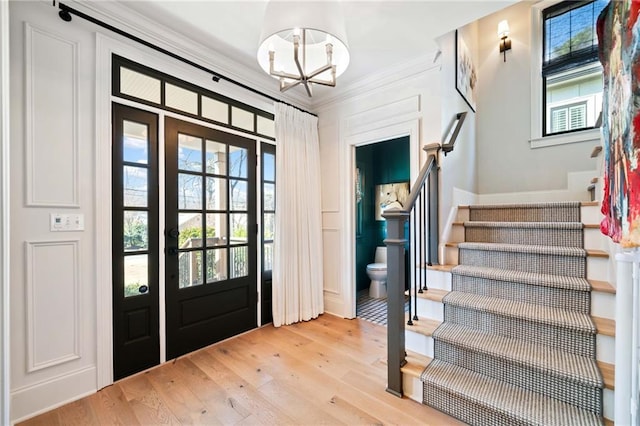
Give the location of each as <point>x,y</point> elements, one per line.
<point>571,341</point>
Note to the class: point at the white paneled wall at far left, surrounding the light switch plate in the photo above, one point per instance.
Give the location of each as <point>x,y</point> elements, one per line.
<point>53,296</point>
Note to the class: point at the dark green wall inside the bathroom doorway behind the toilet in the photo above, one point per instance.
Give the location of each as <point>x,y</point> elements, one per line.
<point>384,162</point>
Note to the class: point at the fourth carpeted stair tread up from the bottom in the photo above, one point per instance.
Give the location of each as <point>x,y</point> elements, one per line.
<point>531,278</point>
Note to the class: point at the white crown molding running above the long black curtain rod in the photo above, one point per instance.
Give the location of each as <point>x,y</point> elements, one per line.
<point>120,16</point>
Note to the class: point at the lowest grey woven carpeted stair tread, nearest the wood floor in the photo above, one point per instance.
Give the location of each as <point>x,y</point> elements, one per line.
<point>522,406</point>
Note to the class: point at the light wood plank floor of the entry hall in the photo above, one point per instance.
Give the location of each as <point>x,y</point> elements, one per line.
<point>326,371</point>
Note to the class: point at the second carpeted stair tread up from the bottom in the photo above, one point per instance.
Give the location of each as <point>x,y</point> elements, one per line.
<point>543,358</point>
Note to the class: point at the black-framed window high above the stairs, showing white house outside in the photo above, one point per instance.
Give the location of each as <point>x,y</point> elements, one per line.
<point>571,72</point>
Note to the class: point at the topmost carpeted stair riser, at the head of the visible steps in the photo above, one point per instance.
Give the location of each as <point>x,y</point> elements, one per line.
<point>556,214</point>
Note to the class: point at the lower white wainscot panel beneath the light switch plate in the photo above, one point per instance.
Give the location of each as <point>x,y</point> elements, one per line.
<point>53,271</point>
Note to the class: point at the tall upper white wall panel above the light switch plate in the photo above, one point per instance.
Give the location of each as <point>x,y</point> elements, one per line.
<point>51,119</point>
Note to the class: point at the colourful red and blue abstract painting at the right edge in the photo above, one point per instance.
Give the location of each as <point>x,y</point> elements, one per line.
<point>618,44</point>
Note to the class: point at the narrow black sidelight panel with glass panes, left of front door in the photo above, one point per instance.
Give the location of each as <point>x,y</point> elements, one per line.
<point>136,340</point>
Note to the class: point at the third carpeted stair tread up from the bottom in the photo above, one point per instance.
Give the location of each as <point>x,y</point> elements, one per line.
<point>563,318</point>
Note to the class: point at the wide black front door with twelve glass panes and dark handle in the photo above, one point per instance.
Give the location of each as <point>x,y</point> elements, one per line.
<point>210,236</point>
